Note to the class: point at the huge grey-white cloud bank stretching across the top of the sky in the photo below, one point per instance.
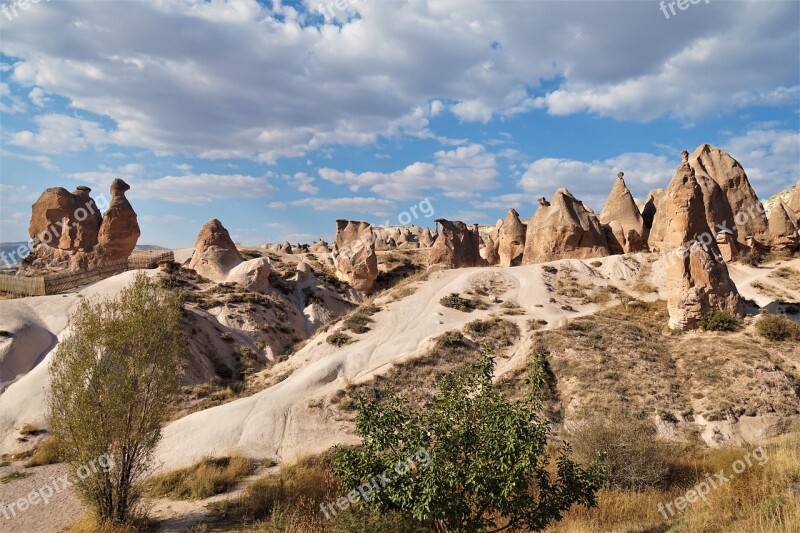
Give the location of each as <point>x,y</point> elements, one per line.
<point>297,84</point>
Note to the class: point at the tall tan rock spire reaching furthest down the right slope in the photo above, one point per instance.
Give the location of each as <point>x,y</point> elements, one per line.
<point>697,277</point>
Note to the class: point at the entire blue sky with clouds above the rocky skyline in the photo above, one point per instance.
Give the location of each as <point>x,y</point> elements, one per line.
<point>278,118</point>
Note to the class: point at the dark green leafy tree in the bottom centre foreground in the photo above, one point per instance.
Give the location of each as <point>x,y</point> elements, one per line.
<point>488,460</point>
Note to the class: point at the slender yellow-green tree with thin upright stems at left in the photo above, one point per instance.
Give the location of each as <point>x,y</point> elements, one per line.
<point>112,381</point>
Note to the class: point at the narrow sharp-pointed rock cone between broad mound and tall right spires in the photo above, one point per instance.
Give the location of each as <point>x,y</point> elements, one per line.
<point>626,228</point>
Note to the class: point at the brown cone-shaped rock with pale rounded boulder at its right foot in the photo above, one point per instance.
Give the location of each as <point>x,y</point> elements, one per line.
<point>217,258</point>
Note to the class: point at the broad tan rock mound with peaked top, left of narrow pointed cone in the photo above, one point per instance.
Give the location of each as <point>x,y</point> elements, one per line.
<point>565,229</point>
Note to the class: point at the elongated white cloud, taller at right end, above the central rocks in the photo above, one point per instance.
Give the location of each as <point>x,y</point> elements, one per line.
<point>456,172</point>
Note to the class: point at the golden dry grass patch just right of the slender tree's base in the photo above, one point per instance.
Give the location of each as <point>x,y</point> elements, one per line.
<point>200,481</point>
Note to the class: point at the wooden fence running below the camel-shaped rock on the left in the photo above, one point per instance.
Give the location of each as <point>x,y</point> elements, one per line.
<point>64,281</point>
